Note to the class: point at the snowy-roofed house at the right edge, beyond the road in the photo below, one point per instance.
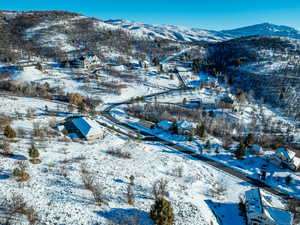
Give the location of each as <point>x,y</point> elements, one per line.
<point>286,158</point>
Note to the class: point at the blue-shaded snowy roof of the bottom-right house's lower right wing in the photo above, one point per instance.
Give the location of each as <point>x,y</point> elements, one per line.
<point>282,217</point>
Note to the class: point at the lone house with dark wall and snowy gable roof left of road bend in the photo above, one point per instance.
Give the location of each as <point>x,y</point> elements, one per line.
<point>83,128</point>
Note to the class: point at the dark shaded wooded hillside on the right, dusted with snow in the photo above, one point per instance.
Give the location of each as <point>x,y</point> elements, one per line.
<point>264,66</point>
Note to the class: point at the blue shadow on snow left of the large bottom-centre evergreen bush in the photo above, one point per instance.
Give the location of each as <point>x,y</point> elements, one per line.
<point>126,216</point>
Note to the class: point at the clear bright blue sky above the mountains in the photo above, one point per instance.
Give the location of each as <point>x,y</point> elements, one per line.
<point>209,14</point>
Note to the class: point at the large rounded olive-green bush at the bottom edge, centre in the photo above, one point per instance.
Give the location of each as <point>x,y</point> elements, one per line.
<point>161,212</point>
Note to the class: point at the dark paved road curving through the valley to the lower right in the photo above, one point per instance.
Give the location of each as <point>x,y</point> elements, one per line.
<point>209,161</point>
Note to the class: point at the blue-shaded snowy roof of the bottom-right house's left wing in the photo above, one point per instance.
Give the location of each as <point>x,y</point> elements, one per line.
<point>253,202</point>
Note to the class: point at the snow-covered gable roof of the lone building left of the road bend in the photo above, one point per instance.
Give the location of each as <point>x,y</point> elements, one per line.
<point>86,126</point>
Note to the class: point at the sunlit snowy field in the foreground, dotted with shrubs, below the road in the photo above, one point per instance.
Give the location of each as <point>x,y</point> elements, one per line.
<point>56,183</point>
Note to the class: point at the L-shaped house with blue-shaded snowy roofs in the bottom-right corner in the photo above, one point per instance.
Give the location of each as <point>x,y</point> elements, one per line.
<point>258,214</point>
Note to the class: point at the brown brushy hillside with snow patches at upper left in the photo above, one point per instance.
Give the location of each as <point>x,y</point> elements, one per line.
<point>59,34</point>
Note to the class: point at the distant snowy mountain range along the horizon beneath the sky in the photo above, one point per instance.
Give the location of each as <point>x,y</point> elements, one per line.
<point>185,34</point>
